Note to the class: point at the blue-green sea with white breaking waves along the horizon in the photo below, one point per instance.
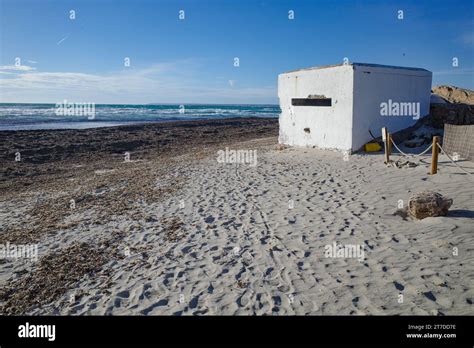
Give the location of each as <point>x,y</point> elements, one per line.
<point>64,116</point>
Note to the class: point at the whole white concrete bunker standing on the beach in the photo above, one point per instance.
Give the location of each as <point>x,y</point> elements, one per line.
<point>334,107</point>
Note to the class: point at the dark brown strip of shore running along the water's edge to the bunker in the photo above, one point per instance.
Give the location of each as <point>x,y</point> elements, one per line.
<point>52,152</point>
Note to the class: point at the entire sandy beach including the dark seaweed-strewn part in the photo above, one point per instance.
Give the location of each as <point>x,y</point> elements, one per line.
<point>144,220</point>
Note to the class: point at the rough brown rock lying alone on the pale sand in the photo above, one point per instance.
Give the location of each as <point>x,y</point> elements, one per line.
<point>428,203</point>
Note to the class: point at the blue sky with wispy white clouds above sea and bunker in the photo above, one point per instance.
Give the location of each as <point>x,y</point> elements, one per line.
<point>47,56</point>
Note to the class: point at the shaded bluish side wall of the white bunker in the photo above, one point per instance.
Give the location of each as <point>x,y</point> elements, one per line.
<point>375,85</point>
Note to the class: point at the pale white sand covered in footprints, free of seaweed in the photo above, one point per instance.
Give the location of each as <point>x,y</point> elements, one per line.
<point>244,251</point>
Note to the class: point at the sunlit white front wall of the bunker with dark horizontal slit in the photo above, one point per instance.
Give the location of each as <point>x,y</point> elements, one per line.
<point>330,126</point>
